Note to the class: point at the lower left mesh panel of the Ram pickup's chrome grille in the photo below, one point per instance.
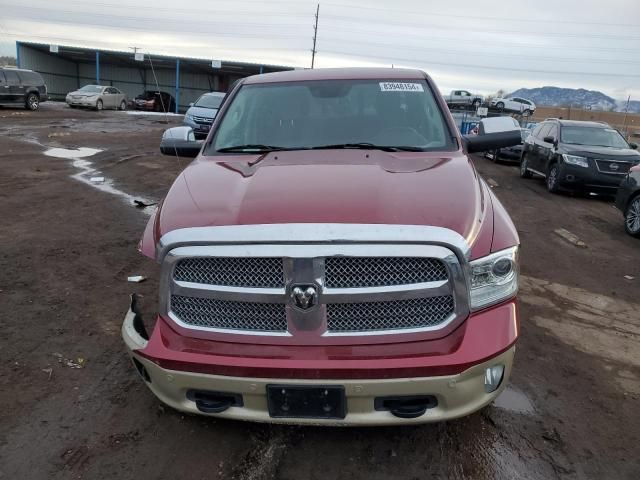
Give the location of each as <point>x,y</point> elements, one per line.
<point>211,313</point>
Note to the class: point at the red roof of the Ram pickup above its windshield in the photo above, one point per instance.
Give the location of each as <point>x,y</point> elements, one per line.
<point>338,74</point>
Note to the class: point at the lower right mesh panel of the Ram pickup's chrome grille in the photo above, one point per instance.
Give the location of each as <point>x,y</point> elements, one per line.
<point>390,315</point>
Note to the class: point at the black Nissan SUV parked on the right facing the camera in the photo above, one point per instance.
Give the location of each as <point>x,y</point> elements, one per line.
<point>582,156</point>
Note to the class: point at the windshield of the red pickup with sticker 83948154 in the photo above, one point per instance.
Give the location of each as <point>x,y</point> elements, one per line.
<point>401,115</point>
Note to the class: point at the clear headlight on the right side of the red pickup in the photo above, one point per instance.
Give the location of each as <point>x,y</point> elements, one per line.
<point>494,278</point>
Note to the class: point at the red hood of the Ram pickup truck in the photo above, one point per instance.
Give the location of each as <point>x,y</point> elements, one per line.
<point>328,186</point>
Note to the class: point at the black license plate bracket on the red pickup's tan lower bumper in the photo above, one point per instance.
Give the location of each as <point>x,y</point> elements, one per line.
<point>305,401</point>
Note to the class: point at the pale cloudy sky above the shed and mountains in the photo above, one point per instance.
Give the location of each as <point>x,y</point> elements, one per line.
<point>482,46</point>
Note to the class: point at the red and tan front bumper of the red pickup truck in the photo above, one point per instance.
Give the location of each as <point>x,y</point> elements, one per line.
<point>455,378</point>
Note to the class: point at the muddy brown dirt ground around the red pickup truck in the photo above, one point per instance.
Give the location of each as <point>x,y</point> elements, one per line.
<point>67,246</point>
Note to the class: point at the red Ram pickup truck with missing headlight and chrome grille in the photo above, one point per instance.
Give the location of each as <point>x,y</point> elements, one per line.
<point>330,257</point>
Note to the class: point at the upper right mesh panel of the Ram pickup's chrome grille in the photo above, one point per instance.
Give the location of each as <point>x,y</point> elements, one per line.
<point>354,272</point>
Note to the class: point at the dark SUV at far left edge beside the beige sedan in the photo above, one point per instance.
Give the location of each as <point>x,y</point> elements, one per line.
<point>22,87</point>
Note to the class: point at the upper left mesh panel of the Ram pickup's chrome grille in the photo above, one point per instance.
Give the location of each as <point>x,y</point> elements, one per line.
<point>259,272</point>
